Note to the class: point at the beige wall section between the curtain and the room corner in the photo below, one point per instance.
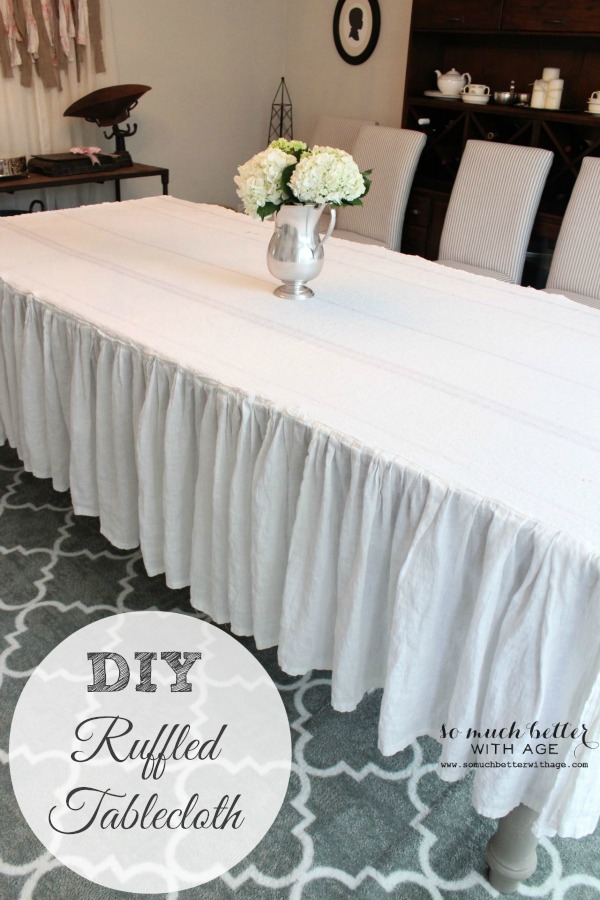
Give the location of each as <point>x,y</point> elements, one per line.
<point>213,66</point>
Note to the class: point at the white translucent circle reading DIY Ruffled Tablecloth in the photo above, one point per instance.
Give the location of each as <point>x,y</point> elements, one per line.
<point>150,752</point>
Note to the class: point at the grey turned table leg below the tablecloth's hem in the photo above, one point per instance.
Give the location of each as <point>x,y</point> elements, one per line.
<point>511,852</point>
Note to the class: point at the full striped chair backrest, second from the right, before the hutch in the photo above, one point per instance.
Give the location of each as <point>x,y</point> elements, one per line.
<point>492,208</point>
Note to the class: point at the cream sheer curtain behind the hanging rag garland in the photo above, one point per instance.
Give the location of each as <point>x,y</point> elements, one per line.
<point>32,118</point>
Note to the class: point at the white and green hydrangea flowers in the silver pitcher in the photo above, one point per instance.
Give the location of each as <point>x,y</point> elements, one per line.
<point>288,173</point>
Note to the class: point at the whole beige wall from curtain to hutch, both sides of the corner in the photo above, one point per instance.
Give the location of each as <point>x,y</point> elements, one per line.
<point>214,67</point>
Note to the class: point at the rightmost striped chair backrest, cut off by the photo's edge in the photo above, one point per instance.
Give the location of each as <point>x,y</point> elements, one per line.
<point>575,266</point>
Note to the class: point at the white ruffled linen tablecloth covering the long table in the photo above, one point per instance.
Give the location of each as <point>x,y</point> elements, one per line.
<point>398,480</point>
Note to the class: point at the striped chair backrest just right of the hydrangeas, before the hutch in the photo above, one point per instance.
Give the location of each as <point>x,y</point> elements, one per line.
<point>392,154</point>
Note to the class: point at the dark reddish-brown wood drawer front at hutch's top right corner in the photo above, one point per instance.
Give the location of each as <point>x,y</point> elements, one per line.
<point>575,16</point>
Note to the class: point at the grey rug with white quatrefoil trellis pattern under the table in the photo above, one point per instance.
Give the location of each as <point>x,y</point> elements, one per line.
<point>354,823</point>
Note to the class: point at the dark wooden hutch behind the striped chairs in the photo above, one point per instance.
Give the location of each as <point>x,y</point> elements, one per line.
<point>497,42</point>
